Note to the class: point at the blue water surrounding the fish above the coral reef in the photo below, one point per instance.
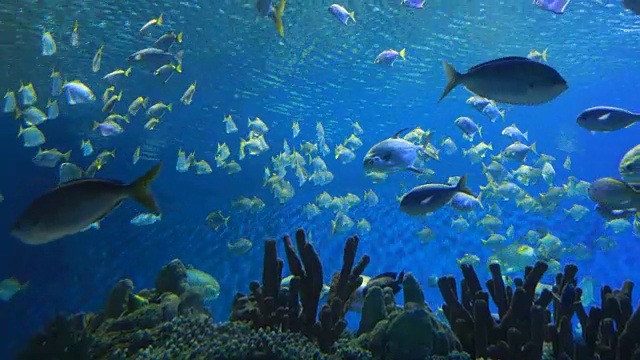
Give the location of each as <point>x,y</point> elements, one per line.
<point>321,71</point>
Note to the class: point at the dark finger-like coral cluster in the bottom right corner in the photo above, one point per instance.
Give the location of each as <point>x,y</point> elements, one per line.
<point>525,328</point>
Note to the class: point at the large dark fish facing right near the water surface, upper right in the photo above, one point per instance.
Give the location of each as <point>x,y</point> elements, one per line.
<point>511,80</point>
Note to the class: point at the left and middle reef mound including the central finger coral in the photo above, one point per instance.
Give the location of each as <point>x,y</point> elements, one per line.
<point>272,322</point>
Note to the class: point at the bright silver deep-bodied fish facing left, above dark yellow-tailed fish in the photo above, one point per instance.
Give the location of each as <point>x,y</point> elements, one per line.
<point>394,154</point>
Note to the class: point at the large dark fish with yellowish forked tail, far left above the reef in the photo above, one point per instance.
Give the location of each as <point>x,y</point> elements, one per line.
<point>72,207</point>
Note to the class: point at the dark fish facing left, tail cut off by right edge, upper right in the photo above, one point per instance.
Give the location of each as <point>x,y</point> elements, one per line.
<point>606,118</point>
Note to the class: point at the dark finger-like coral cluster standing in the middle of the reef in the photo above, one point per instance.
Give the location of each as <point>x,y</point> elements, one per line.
<point>268,305</point>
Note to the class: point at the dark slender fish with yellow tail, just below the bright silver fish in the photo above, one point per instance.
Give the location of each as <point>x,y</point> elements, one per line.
<point>428,198</point>
